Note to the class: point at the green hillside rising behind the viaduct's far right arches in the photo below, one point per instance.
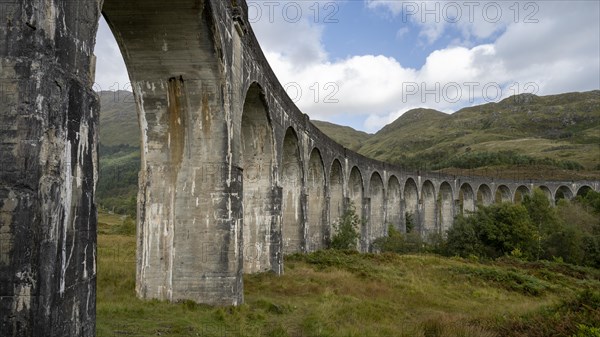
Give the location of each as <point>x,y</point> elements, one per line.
<point>559,130</point>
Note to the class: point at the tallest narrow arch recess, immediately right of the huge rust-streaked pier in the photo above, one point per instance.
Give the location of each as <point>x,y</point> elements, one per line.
<point>257,153</point>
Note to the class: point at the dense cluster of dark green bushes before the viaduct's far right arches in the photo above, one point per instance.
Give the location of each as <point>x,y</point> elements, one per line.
<point>531,231</point>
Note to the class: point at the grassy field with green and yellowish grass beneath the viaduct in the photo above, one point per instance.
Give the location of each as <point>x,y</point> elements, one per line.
<point>333,293</point>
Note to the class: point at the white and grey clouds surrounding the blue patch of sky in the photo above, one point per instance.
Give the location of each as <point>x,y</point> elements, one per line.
<point>559,53</point>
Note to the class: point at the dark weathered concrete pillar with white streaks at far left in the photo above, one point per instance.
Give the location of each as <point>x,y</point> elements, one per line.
<point>48,168</point>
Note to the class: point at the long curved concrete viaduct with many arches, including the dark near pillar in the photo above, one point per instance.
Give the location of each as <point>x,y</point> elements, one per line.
<point>233,175</point>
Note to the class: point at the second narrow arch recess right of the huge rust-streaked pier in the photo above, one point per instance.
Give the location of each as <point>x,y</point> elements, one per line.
<point>291,183</point>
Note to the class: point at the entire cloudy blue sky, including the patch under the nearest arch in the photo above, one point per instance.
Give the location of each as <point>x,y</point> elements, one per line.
<point>363,63</point>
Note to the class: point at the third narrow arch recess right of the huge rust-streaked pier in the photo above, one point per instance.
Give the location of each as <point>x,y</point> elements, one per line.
<point>315,190</point>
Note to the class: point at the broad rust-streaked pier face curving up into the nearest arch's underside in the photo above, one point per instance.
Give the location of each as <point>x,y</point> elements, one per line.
<point>185,172</point>
